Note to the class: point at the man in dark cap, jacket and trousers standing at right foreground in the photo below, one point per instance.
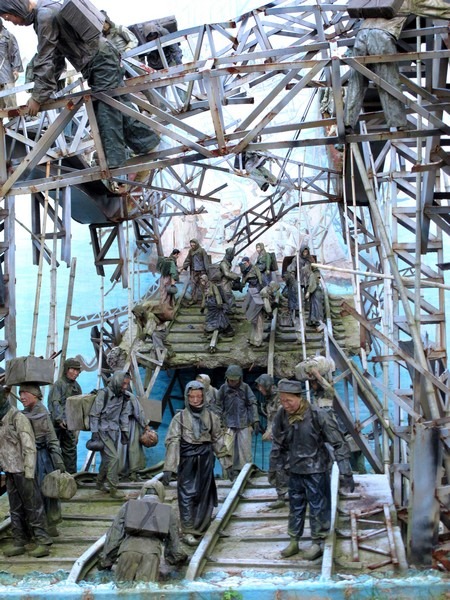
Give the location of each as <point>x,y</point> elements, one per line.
<point>300,432</point>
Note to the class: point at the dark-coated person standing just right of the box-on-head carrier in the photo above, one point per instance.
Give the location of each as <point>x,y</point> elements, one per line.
<point>62,389</point>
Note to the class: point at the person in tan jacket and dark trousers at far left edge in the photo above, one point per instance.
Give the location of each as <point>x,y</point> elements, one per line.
<point>17,461</point>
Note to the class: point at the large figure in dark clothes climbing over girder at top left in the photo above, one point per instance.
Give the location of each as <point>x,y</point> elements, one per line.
<point>96,59</point>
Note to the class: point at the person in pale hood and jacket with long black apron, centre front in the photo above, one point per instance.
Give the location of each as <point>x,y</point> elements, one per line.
<point>193,439</point>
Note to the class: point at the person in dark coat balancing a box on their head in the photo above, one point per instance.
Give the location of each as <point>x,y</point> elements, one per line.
<point>49,456</point>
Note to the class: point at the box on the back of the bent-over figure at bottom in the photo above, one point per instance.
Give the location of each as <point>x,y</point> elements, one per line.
<point>147,518</point>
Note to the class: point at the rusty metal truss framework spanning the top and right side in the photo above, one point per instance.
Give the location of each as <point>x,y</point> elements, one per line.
<point>255,85</point>
